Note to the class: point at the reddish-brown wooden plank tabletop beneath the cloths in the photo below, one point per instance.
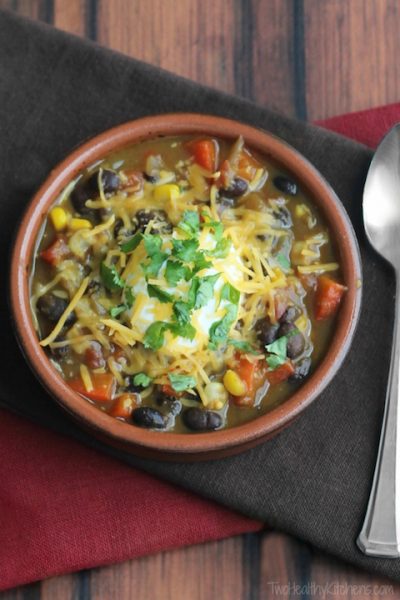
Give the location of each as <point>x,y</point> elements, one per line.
<point>307,58</point>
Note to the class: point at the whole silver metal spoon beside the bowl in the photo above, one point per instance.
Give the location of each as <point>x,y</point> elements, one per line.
<point>380,534</point>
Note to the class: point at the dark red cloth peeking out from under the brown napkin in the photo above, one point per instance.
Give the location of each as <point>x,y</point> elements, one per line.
<point>64,507</point>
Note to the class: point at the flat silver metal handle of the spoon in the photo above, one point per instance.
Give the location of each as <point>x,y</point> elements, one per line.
<point>380,533</point>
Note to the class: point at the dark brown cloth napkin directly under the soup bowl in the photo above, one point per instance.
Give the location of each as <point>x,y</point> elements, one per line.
<point>312,480</point>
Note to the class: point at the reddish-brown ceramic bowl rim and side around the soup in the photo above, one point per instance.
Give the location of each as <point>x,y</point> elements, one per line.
<point>173,446</point>
